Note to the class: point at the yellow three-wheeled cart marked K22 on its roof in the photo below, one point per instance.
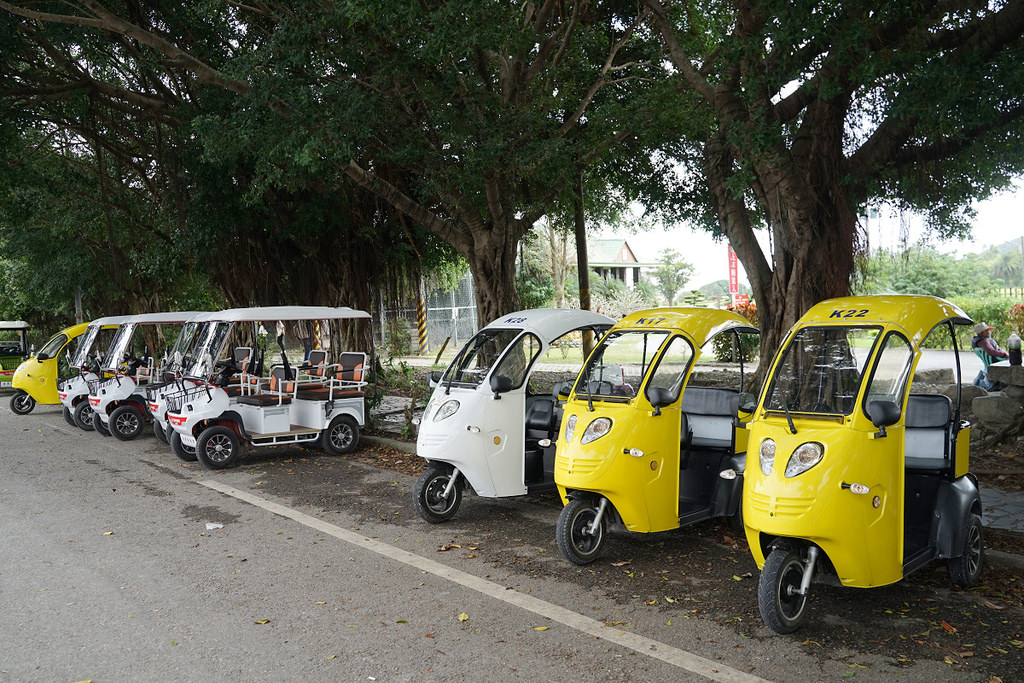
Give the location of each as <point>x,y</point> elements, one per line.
<point>859,482</point>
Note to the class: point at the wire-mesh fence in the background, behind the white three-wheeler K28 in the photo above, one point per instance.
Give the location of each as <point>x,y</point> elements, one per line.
<point>451,317</point>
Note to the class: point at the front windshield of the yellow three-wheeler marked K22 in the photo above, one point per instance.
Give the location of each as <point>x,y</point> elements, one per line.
<point>822,370</point>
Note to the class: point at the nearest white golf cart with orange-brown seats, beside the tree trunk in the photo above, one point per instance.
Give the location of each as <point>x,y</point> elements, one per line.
<point>307,404</point>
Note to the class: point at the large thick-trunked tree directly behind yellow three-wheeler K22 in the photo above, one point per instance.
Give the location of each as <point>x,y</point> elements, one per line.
<point>819,108</point>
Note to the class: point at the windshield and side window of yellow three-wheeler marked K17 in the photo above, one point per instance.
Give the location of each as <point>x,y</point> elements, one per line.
<point>618,367</point>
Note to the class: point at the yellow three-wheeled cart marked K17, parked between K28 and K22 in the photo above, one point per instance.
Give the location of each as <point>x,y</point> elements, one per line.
<point>642,446</point>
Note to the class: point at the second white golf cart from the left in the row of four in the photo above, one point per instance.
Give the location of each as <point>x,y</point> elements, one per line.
<point>118,401</point>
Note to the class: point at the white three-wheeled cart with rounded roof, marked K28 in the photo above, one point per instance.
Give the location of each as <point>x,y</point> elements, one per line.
<point>486,425</point>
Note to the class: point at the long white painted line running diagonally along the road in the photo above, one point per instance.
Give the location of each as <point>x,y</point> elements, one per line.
<point>648,647</point>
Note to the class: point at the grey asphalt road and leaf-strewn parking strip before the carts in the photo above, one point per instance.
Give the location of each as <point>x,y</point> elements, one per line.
<point>322,571</point>
